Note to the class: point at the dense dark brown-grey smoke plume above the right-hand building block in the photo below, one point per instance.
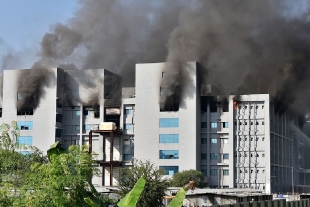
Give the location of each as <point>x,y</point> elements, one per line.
<point>245,47</point>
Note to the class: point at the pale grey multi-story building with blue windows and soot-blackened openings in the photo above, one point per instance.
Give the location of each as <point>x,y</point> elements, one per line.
<point>244,143</point>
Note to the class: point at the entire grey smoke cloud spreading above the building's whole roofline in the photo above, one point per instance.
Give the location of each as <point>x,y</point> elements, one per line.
<point>242,46</point>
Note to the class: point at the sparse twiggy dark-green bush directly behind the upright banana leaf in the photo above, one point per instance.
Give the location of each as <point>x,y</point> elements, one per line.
<point>155,185</point>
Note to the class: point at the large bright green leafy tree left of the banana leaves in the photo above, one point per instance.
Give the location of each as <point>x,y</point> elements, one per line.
<point>62,182</point>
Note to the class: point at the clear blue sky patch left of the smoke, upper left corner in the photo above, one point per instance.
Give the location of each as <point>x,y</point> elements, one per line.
<point>24,22</point>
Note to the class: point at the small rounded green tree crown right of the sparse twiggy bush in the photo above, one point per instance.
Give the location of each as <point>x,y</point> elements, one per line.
<point>182,178</point>
